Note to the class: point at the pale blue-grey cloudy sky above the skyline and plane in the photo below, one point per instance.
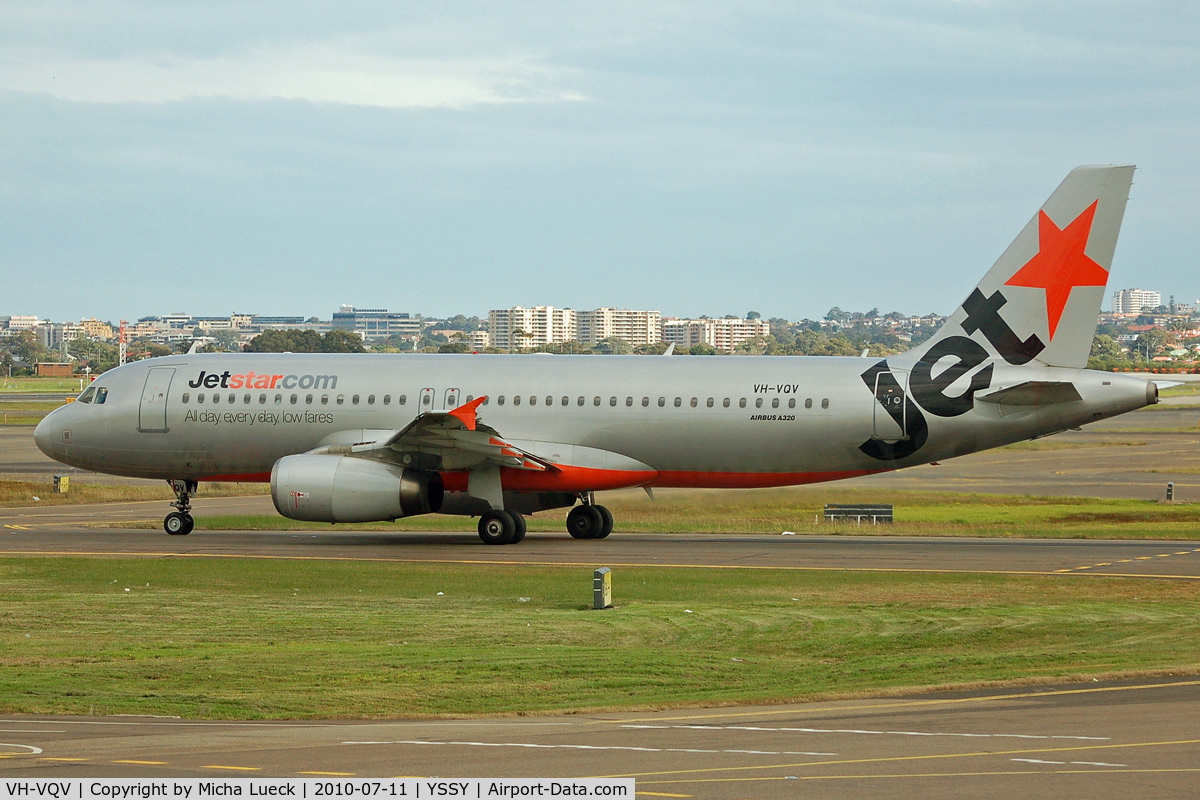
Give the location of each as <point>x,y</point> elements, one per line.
<point>287,158</point>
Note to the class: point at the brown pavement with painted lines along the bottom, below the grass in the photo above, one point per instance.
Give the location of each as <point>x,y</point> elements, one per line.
<point>1096,741</point>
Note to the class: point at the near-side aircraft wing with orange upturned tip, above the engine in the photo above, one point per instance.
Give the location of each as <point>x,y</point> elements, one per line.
<point>445,441</point>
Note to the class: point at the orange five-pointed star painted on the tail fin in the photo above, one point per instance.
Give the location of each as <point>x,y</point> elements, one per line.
<point>1061,263</point>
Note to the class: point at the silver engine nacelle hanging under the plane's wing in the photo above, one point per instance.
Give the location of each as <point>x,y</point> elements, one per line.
<point>341,489</point>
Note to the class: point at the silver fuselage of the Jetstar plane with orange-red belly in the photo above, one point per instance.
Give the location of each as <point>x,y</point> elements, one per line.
<point>717,422</point>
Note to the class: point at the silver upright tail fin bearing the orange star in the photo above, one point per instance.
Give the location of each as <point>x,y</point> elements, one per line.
<point>1042,298</point>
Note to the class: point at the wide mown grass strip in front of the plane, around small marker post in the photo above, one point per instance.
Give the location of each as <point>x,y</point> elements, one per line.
<point>254,640</point>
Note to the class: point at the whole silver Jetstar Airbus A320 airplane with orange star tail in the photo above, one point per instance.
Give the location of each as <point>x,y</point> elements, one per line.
<point>373,437</point>
